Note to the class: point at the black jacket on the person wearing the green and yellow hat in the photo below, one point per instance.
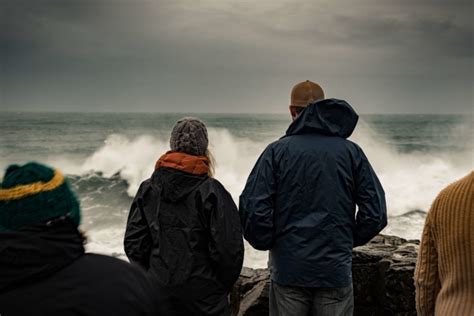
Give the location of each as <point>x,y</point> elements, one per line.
<point>44,271</point>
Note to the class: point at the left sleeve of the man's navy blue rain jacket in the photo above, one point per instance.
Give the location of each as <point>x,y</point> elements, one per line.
<point>257,203</point>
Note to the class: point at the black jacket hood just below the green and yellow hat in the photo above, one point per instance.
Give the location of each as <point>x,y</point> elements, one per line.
<point>37,251</point>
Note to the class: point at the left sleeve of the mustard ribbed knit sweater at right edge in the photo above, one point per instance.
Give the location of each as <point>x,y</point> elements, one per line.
<point>427,281</point>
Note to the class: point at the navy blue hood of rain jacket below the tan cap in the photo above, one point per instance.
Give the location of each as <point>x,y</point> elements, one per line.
<point>329,117</point>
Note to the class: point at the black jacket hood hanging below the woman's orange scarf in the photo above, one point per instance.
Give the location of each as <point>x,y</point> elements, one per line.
<point>176,184</point>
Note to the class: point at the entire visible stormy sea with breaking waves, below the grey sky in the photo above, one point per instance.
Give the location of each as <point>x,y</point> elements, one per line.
<point>107,155</point>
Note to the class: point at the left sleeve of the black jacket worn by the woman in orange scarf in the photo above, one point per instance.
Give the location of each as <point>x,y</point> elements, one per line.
<point>138,240</point>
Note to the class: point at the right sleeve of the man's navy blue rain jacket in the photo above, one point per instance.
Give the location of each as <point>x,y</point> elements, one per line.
<point>371,216</point>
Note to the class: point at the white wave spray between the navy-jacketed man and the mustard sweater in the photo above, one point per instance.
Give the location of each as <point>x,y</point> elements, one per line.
<point>411,180</point>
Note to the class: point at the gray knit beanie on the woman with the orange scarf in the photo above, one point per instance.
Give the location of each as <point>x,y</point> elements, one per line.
<point>189,135</point>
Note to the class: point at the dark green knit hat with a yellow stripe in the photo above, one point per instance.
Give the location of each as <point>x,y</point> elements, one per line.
<point>34,193</point>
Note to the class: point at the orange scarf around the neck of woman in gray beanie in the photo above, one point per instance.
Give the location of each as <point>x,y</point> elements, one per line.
<point>197,165</point>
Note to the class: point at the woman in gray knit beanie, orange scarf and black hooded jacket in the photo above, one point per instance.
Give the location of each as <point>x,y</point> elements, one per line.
<point>184,228</point>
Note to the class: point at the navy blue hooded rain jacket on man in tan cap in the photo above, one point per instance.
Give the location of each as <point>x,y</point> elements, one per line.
<point>300,199</point>
